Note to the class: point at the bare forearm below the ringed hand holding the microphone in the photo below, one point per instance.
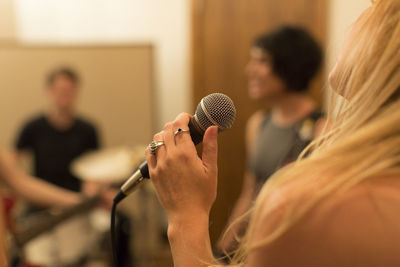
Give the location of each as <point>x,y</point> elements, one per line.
<point>190,241</point>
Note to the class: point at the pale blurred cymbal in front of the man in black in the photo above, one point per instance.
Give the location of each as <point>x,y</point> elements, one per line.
<point>108,165</point>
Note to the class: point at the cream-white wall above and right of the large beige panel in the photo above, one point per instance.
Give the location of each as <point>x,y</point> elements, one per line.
<point>165,24</point>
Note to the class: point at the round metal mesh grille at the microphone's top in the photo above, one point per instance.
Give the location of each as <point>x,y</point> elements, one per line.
<point>216,109</point>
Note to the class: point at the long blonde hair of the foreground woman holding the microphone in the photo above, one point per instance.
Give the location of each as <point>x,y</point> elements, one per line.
<point>363,139</point>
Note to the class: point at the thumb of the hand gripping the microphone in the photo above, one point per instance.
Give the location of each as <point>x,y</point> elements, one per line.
<point>210,148</point>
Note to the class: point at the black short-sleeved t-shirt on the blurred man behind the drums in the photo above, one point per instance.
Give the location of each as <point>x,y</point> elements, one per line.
<point>54,150</point>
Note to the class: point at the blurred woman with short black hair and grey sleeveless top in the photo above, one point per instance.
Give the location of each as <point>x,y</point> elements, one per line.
<point>282,64</point>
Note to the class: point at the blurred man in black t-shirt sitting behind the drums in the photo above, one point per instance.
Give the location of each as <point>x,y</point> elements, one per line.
<point>59,135</point>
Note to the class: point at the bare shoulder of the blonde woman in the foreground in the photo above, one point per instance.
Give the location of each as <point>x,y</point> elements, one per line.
<point>359,227</point>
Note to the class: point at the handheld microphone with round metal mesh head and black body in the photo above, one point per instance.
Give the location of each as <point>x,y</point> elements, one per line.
<point>213,110</point>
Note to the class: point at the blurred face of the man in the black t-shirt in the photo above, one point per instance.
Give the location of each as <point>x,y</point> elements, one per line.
<point>63,93</point>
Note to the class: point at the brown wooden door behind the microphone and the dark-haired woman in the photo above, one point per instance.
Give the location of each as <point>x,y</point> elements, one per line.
<point>223,31</point>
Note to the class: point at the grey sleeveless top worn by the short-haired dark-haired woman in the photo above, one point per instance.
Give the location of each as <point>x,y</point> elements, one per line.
<point>275,147</point>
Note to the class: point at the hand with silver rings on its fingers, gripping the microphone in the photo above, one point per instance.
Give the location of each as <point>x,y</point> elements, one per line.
<point>183,181</point>
